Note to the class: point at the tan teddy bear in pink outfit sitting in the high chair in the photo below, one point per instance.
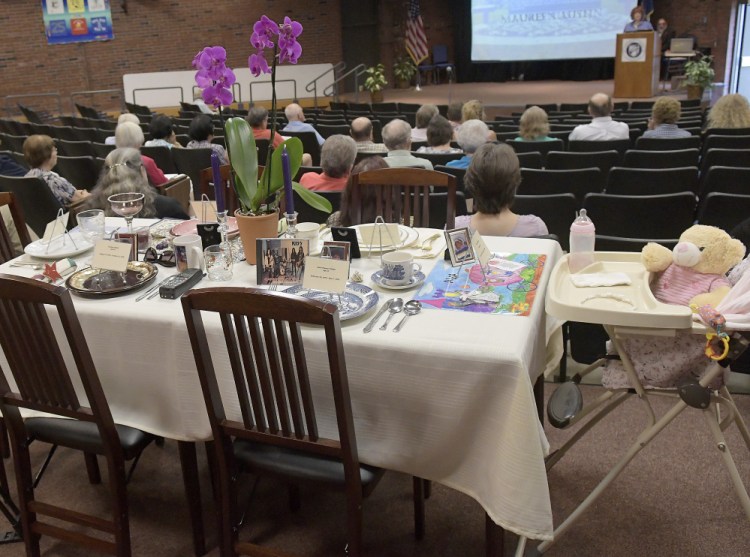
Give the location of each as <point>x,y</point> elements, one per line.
<point>694,272</point>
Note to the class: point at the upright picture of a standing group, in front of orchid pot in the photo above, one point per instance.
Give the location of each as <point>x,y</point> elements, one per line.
<point>281,260</point>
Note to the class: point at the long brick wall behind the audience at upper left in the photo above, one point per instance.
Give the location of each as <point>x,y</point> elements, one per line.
<point>156,35</point>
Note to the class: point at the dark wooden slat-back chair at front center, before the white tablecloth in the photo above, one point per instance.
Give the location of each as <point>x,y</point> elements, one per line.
<point>277,430</point>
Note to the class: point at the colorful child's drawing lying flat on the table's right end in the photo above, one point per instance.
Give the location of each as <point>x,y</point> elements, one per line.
<point>508,286</point>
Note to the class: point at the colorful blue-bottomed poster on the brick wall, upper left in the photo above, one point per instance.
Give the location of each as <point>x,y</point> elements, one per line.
<point>77,21</point>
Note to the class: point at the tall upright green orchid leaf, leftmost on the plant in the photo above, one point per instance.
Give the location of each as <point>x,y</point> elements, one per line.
<point>244,159</point>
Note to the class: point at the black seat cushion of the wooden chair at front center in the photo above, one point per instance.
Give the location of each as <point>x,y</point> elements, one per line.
<point>296,465</point>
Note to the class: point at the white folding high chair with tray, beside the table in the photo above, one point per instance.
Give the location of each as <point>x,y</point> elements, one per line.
<point>632,310</point>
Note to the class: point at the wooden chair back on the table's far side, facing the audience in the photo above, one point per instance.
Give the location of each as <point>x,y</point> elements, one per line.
<point>402,195</point>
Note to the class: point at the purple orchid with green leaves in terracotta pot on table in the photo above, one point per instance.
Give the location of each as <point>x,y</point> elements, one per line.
<point>259,199</point>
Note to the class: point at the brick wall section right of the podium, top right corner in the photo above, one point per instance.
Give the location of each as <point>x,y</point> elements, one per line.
<point>708,20</point>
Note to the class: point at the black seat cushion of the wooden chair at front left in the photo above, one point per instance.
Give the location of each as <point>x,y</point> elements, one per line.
<point>84,436</point>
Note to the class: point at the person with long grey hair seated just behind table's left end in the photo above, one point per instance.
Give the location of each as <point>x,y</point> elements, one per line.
<point>124,172</point>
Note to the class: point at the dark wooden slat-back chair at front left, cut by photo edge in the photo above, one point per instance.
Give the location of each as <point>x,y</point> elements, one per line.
<point>45,383</point>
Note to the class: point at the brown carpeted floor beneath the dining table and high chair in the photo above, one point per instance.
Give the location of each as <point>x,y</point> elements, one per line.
<point>674,499</point>
